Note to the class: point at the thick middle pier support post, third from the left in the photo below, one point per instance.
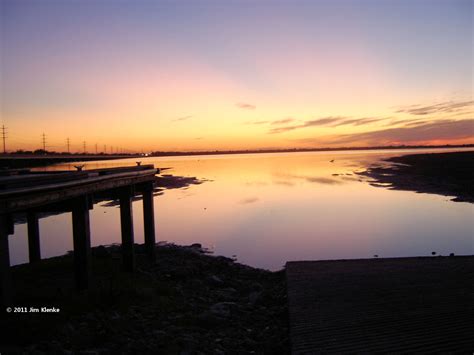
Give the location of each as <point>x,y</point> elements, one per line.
<point>82,242</point>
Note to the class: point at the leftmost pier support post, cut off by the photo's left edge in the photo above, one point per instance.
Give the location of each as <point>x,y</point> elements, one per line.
<point>5,280</point>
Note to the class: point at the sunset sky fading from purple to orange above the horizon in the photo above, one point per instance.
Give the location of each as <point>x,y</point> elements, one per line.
<point>198,75</point>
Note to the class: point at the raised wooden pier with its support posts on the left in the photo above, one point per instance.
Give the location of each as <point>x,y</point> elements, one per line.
<point>31,193</point>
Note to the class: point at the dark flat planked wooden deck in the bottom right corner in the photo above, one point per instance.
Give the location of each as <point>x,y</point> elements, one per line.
<point>400,305</point>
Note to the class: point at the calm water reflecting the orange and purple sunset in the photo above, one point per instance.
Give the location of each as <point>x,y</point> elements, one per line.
<point>270,208</point>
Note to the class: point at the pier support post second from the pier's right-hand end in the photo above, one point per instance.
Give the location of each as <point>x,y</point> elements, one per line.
<point>126,223</point>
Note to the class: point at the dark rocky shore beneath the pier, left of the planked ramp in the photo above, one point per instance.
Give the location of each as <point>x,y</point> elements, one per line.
<point>188,302</point>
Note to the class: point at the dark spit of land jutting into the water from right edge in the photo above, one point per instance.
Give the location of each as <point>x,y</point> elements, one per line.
<point>447,174</point>
